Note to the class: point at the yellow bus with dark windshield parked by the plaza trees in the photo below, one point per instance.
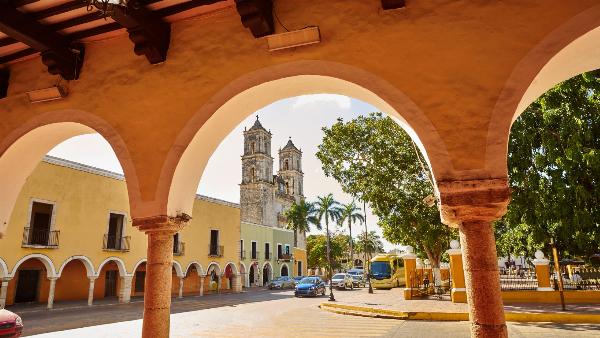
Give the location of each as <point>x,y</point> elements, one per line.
<point>387,271</point>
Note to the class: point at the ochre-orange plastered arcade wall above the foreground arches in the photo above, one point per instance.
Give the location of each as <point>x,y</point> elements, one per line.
<point>451,59</point>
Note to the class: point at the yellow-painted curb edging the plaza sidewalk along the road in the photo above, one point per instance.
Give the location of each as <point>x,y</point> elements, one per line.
<point>554,317</point>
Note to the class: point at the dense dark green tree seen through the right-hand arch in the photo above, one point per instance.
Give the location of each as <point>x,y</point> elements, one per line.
<point>554,171</point>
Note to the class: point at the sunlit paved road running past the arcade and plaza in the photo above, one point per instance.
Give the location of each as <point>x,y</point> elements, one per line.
<point>263,314</point>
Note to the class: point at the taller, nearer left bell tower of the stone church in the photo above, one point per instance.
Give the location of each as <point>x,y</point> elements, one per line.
<point>256,189</point>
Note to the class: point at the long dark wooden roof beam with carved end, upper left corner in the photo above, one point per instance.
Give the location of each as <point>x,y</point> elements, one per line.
<point>58,54</point>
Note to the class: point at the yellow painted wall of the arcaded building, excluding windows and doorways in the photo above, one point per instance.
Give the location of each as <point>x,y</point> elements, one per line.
<point>82,203</point>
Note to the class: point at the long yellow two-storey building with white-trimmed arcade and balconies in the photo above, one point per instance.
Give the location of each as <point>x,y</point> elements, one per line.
<point>70,237</point>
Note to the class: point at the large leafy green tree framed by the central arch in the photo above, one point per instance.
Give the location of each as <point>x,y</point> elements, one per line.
<point>372,157</point>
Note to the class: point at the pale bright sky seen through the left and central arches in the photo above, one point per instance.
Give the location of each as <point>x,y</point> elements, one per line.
<point>300,118</point>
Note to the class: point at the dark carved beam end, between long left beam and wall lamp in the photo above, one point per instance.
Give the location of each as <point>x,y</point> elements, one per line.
<point>149,33</point>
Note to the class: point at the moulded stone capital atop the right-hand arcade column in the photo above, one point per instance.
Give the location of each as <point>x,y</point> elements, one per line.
<point>473,200</point>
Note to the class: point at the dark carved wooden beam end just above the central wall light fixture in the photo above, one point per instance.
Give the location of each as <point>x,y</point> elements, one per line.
<point>256,15</point>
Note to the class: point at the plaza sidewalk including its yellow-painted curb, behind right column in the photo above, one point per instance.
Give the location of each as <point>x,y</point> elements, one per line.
<point>391,304</point>
